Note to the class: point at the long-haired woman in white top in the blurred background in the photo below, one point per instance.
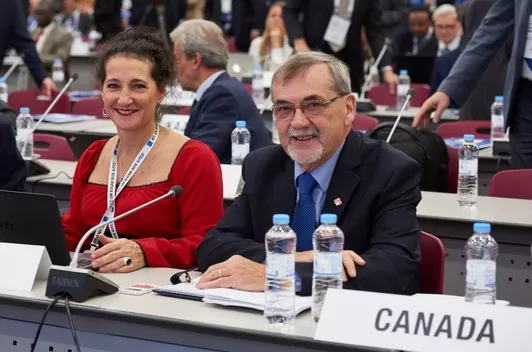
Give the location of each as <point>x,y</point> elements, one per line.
<point>272,48</point>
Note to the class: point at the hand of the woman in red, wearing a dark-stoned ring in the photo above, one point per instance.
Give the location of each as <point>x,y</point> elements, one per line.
<point>118,256</point>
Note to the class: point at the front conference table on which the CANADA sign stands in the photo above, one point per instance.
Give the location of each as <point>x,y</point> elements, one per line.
<point>151,322</point>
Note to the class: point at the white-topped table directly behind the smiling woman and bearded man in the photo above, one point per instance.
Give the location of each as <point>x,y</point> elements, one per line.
<point>438,214</point>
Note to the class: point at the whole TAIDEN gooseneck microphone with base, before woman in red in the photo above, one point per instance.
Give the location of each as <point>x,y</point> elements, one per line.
<point>81,284</point>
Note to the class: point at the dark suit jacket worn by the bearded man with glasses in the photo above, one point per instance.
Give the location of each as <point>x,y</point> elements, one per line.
<point>378,186</point>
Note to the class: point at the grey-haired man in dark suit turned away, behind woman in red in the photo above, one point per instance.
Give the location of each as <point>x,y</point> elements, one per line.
<point>221,100</point>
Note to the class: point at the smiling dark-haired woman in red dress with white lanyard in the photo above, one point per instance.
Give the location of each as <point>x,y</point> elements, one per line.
<point>143,161</point>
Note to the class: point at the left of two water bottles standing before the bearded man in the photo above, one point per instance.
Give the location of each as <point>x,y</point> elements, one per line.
<point>281,240</point>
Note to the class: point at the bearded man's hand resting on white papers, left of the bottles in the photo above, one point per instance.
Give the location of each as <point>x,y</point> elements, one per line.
<point>237,272</point>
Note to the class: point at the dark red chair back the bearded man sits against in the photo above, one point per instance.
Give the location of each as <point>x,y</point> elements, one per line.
<point>432,264</point>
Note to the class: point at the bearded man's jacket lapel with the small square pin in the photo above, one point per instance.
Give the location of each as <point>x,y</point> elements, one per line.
<point>344,180</point>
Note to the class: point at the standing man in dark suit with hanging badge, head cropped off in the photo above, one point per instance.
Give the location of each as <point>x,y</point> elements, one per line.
<point>310,34</point>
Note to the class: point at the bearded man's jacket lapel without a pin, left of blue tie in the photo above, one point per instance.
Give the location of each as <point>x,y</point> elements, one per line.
<point>284,192</point>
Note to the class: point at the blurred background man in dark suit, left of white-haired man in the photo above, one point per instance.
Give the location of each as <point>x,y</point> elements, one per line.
<point>420,39</point>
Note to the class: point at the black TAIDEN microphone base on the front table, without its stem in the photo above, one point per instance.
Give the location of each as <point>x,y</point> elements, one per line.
<point>79,284</point>
